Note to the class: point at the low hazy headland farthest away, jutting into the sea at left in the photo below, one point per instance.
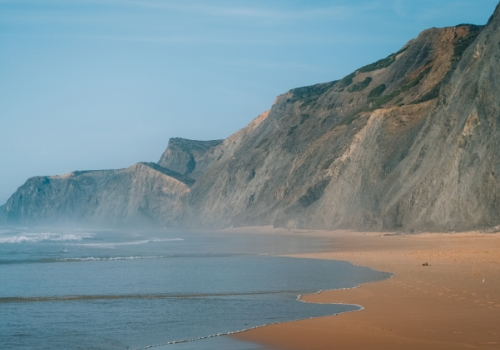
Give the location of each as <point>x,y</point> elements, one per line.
<point>144,194</point>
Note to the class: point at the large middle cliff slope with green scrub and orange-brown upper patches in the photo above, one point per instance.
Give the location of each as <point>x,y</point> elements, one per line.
<point>326,154</point>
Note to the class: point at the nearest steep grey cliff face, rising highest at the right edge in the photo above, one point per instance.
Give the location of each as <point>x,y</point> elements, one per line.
<point>451,176</point>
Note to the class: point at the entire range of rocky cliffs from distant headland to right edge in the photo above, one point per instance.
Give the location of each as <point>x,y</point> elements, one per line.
<point>409,142</point>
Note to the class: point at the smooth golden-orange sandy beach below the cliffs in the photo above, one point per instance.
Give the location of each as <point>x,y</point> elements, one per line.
<point>453,303</point>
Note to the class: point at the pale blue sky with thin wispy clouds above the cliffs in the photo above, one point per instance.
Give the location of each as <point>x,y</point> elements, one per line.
<point>101,84</point>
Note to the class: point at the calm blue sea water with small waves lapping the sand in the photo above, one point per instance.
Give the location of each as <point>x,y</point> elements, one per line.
<point>74,289</point>
